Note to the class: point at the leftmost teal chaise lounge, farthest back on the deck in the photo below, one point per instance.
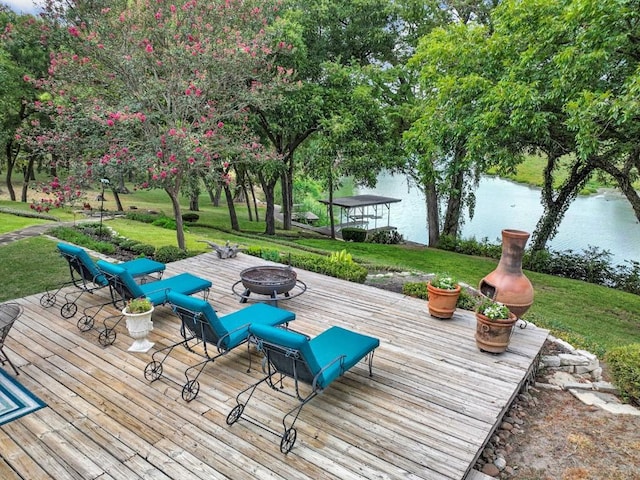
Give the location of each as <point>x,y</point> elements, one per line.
<point>86,277</point>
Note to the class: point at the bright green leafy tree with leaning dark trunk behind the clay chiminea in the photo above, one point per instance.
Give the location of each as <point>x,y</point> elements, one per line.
<point>546,77</point>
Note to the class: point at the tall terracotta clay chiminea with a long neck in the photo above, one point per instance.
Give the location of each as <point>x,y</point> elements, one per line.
<point>507,284</point>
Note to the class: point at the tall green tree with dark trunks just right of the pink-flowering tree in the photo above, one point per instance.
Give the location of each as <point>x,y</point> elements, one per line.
<point>331,39</point>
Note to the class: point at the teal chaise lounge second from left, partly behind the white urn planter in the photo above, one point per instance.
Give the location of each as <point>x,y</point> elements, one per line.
<point>124,287</point>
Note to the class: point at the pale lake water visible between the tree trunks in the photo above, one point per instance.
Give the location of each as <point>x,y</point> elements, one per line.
<point>605,220</point>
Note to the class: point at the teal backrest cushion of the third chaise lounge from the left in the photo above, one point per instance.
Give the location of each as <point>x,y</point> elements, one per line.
<point>198,316</point>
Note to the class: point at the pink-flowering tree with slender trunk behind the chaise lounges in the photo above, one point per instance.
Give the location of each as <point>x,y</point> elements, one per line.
<point>170,83</point>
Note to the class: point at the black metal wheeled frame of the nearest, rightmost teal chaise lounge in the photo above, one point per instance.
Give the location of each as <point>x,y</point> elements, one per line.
<point>279,363</point>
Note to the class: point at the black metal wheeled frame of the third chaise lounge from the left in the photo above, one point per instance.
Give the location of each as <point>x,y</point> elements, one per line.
<point>194,328</point>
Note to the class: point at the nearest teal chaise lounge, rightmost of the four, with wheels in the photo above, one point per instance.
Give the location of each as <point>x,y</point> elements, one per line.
<point>316,362</point>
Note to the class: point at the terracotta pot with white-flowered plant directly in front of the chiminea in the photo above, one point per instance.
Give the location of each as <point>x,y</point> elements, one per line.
<point>494,325</point>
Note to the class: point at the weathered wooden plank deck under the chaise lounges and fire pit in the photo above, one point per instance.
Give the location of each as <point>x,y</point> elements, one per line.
<point>433,402</point>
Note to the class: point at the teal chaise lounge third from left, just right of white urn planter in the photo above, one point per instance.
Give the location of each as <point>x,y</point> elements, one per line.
<point>211,336</point>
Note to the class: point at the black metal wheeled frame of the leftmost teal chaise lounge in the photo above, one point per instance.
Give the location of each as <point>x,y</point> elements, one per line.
<point>81,278</point>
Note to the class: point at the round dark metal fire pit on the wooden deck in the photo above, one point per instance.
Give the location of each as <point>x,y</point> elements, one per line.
<point>276,282</point>
